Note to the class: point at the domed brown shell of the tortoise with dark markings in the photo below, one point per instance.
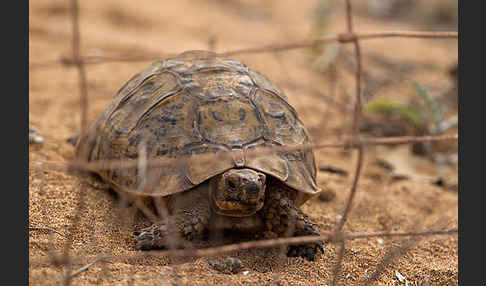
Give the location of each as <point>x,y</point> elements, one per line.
<point>198,103</point>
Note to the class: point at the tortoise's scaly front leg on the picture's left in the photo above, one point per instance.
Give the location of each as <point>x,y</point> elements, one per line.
<point>190,213</point>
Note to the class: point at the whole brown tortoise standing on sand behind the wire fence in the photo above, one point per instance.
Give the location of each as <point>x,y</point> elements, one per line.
<point>201,103</point>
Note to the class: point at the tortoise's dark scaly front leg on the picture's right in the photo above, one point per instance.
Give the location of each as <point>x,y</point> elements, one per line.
<point>284,218</point>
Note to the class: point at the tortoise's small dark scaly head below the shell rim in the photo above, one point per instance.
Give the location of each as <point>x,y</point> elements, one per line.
<point>237,192</point>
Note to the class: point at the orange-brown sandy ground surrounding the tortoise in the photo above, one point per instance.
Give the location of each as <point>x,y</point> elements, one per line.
<point>382,203</point>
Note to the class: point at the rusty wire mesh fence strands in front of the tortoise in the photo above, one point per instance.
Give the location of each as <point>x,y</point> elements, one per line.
<point>353,141</point>
